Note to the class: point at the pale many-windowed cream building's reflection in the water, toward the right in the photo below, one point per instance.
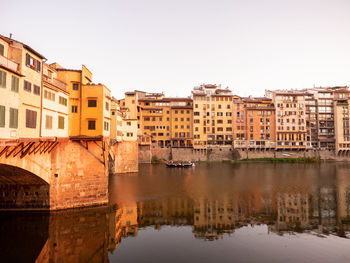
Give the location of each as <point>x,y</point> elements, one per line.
<point>292,211</point>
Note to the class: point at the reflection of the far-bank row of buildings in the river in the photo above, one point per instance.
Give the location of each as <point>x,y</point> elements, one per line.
<point>216,199</point>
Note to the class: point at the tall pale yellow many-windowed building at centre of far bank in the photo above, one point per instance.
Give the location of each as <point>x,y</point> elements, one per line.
<point>212,116</point>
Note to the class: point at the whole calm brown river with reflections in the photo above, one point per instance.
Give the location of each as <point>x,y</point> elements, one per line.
<point>214,212</point>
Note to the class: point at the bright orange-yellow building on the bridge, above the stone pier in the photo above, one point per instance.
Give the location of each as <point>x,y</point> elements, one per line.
<point>89,103</point>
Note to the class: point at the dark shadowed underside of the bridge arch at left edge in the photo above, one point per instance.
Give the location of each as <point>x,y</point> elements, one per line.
<point>21,189</point>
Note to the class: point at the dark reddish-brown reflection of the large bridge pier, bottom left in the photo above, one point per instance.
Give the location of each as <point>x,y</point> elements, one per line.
<point>76,236</point>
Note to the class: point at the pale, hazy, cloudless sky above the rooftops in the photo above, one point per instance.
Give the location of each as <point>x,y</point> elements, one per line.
<point>173,45</point>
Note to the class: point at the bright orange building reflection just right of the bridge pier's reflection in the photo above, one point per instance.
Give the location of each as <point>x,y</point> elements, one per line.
<point>122,223</point>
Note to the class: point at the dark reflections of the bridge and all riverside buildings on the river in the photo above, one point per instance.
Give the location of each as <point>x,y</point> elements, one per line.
<point>212,201</point>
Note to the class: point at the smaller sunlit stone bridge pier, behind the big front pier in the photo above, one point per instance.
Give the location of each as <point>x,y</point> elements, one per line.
<point>126,155</point>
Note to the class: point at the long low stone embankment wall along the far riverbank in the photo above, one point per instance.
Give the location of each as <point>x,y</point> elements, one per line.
<point>229,153</point>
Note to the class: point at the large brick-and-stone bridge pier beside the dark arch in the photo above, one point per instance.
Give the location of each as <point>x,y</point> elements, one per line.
<point>78,178</point>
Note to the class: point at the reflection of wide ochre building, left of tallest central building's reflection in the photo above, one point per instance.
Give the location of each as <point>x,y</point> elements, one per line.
<point>165,211</point>
